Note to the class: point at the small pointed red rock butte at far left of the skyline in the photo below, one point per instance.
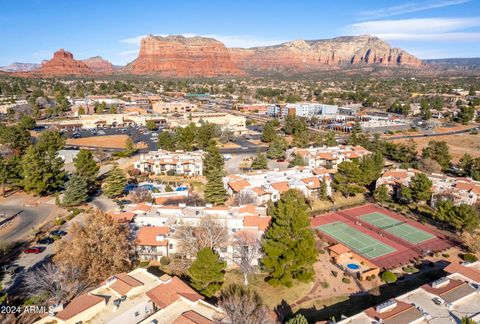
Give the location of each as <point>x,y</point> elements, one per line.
<point>61,64</point>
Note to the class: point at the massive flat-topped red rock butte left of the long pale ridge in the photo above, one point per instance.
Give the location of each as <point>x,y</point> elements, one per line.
<point>183,57</point>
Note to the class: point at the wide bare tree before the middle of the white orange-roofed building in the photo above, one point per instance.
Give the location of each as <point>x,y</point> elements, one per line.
<point>209,233</point>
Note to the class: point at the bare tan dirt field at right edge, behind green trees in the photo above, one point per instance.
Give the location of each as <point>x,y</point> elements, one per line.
<point>458,144</point>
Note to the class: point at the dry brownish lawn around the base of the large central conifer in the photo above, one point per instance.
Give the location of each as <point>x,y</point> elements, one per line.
<point>272,296</point>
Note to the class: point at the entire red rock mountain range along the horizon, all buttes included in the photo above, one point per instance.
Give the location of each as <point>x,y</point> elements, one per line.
<point>179,56</point>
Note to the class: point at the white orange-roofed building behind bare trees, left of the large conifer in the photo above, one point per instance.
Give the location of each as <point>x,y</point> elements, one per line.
<point>157,224</point>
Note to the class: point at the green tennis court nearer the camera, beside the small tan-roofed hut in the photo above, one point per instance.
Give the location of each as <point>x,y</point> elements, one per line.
<point>356,240</point>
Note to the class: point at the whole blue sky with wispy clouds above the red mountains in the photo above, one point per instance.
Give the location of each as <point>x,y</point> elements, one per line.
<point>31,30</point>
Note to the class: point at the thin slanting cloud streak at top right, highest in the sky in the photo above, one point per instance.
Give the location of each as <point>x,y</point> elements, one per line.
<point>409,7</point>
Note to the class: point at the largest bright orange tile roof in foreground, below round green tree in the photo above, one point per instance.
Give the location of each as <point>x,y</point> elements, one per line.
<point>165,294</point>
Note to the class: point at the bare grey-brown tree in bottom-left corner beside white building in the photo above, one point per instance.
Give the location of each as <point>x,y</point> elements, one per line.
<point>57,284</point>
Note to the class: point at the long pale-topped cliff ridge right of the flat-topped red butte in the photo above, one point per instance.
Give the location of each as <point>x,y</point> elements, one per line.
<point>302,56</point>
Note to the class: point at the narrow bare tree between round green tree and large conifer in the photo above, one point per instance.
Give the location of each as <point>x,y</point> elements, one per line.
<point>246,249</point>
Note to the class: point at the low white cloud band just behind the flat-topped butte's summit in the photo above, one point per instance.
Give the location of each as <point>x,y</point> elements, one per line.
<point>228,40</point>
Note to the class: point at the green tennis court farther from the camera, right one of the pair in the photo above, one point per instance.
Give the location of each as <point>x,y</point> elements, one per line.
<point>397,228</point>
